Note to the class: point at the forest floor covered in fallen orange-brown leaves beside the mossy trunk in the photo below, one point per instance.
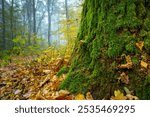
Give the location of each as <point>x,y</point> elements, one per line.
<point>35,78</point>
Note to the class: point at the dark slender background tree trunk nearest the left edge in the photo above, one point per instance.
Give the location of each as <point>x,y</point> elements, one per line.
<point>3,28</point>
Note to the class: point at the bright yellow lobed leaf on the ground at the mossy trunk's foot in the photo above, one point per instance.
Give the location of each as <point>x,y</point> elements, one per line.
<point>118,95</point>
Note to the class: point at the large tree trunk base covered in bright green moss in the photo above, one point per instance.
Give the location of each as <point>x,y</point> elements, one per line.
<point>110,29</point>
